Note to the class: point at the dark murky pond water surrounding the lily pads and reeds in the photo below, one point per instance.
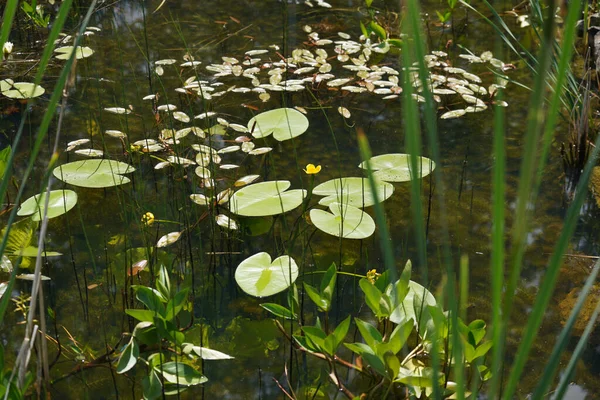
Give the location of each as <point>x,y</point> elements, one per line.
<point>102,236</point>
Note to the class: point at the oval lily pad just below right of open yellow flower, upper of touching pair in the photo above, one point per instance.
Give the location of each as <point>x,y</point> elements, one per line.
<point>353,191</point>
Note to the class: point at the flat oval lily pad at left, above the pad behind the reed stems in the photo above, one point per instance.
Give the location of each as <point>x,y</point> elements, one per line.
<point>94,173</point>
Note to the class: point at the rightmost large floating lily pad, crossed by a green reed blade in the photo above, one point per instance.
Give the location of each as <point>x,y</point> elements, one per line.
<point>396,167</point>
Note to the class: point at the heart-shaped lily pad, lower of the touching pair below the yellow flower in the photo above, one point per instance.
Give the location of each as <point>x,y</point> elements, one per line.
<point>344,221</point>
